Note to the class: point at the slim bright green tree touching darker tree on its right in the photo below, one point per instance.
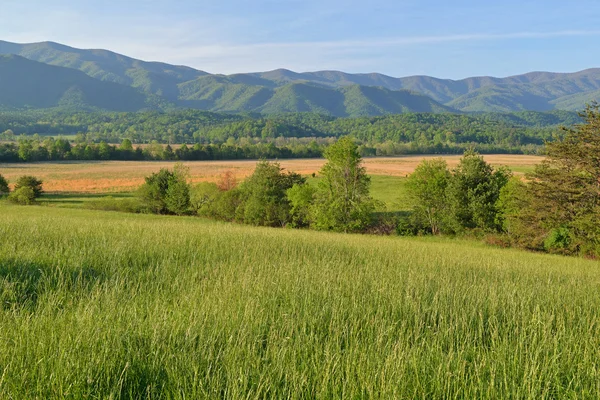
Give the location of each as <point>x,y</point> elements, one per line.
<point>427,188</point>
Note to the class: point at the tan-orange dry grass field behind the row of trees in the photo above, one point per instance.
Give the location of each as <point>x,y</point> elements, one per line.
<point>124,176</point>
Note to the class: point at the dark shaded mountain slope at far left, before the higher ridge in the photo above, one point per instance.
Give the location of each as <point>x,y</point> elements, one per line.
<point>25,83</point>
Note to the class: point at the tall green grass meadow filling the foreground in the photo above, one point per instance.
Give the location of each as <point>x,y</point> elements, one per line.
<point>112,305</point>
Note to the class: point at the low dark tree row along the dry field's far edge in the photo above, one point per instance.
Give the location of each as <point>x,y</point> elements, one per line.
<point>37,148</point>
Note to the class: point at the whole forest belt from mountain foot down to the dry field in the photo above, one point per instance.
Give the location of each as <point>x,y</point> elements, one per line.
<point>201,135</point>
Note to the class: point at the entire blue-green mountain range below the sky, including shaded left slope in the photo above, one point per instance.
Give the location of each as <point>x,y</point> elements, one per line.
<point>44,75</point>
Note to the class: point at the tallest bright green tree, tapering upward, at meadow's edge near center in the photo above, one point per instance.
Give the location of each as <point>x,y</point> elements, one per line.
<point>342,200</point>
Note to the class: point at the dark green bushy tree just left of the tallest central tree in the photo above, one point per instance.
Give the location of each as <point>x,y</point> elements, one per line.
<point>264,194</point>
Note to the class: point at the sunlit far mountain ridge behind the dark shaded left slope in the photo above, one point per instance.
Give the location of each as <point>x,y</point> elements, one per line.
<point>329,92</point>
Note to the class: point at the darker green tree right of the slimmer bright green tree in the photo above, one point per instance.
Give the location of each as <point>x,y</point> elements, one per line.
<point>473,192</point>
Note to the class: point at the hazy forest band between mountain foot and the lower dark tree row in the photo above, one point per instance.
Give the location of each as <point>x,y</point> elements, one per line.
<point>523,132</point>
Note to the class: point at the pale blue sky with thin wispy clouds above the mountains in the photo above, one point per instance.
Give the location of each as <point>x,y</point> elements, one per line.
<point>447,39</point>
